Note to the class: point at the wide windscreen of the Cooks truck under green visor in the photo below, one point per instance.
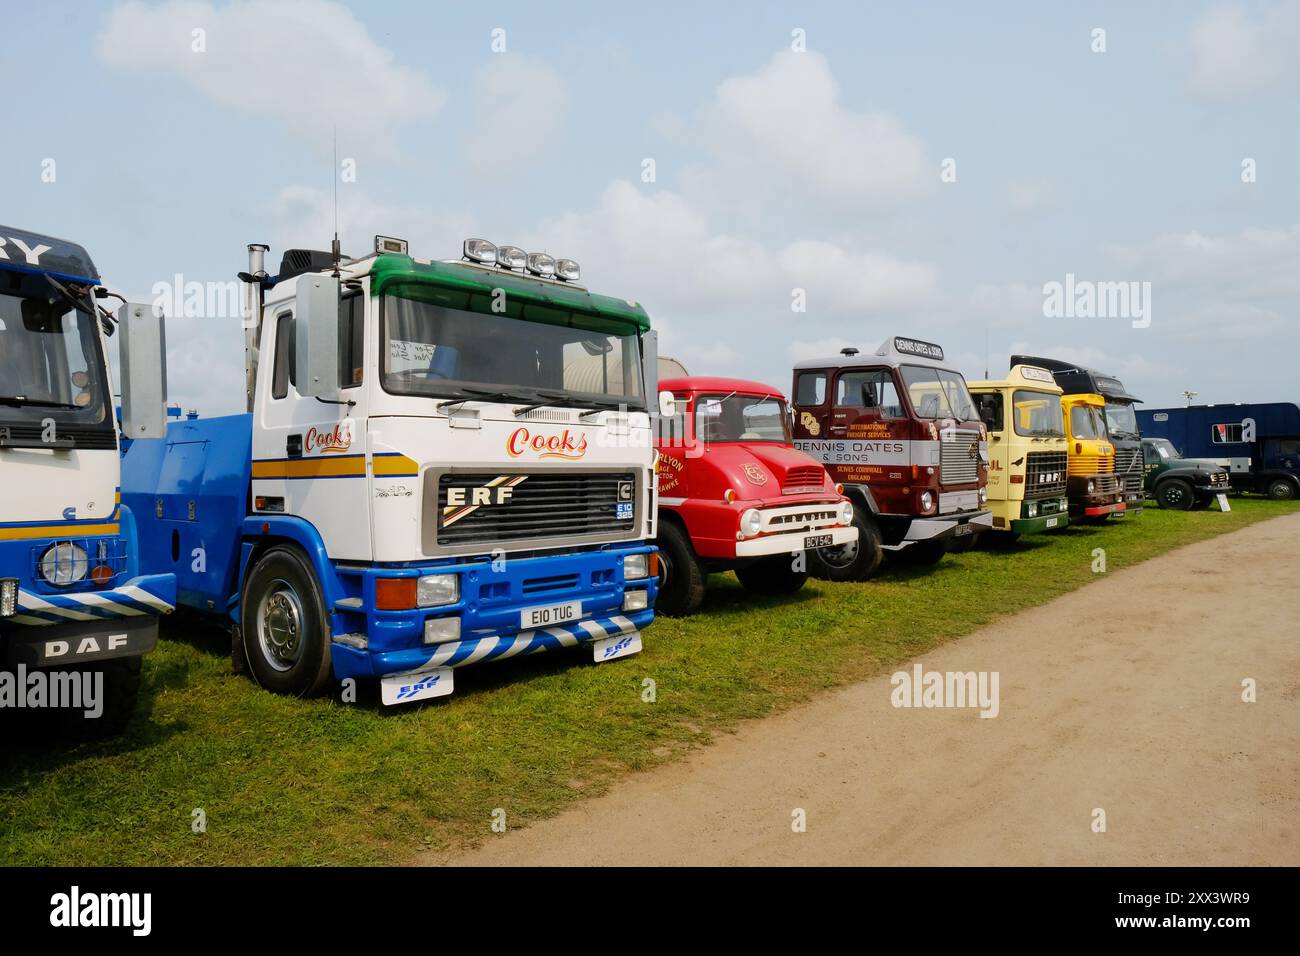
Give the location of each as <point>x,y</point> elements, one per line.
<point>450,353</point>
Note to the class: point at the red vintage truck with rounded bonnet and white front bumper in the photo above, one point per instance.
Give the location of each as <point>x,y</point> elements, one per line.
<point>735,495</point>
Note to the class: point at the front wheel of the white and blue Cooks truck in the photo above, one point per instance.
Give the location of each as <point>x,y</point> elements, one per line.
<point>285,626</point>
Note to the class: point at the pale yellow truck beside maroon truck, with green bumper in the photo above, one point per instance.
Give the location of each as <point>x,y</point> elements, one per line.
<point>1028,451</point>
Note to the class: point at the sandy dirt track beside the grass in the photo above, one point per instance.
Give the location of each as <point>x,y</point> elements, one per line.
<point>1142,717</point>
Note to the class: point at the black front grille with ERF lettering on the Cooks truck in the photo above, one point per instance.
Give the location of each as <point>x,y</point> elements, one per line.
<point>562,505</point>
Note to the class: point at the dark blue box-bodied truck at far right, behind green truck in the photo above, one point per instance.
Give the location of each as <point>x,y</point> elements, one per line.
<point>1259,443</point>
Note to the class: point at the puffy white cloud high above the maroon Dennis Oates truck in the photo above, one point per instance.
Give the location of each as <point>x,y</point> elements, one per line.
<point>783,135</point>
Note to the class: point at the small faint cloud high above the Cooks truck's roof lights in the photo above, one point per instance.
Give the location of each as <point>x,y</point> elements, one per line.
<point>519,106</point>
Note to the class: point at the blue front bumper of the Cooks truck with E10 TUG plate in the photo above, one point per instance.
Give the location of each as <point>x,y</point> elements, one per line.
<point>493,598</point>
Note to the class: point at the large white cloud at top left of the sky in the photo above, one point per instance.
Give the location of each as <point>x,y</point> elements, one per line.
<point>304,64</point>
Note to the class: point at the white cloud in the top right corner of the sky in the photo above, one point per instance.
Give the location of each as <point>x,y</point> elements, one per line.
<point>1236,54</point>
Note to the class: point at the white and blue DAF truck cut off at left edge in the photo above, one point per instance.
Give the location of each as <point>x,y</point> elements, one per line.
<point>75,600</point>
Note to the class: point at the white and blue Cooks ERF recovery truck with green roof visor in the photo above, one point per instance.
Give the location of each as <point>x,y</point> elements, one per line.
<point>443,464</point>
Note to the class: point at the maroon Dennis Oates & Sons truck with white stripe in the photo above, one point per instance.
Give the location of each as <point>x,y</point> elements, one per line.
<point>900,432</point>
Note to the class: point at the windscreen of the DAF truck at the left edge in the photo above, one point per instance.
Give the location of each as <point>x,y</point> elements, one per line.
<point>50,364</point>
